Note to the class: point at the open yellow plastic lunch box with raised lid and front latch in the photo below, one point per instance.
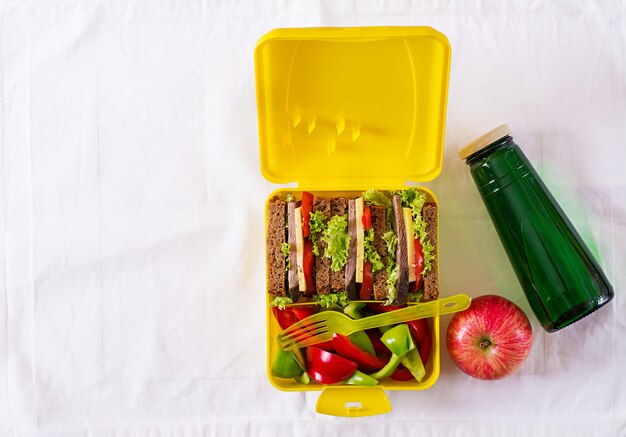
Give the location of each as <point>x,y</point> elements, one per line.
<point>343,110</point>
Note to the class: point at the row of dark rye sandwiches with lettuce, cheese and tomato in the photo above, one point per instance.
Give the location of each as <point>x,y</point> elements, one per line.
<point>379,246</point>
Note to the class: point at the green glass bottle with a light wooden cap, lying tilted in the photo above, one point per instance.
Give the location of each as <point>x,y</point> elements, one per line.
<point>560,277</point>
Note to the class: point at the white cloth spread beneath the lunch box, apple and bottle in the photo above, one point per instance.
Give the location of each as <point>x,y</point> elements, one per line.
<point>132,288</point>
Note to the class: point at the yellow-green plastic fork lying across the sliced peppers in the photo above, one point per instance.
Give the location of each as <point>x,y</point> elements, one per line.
<point>320,327</point>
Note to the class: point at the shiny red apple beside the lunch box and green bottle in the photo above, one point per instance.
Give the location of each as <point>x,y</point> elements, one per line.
<point>491,339</point>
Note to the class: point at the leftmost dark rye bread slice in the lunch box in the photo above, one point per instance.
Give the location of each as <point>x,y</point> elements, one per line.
<point>275,260</point>
